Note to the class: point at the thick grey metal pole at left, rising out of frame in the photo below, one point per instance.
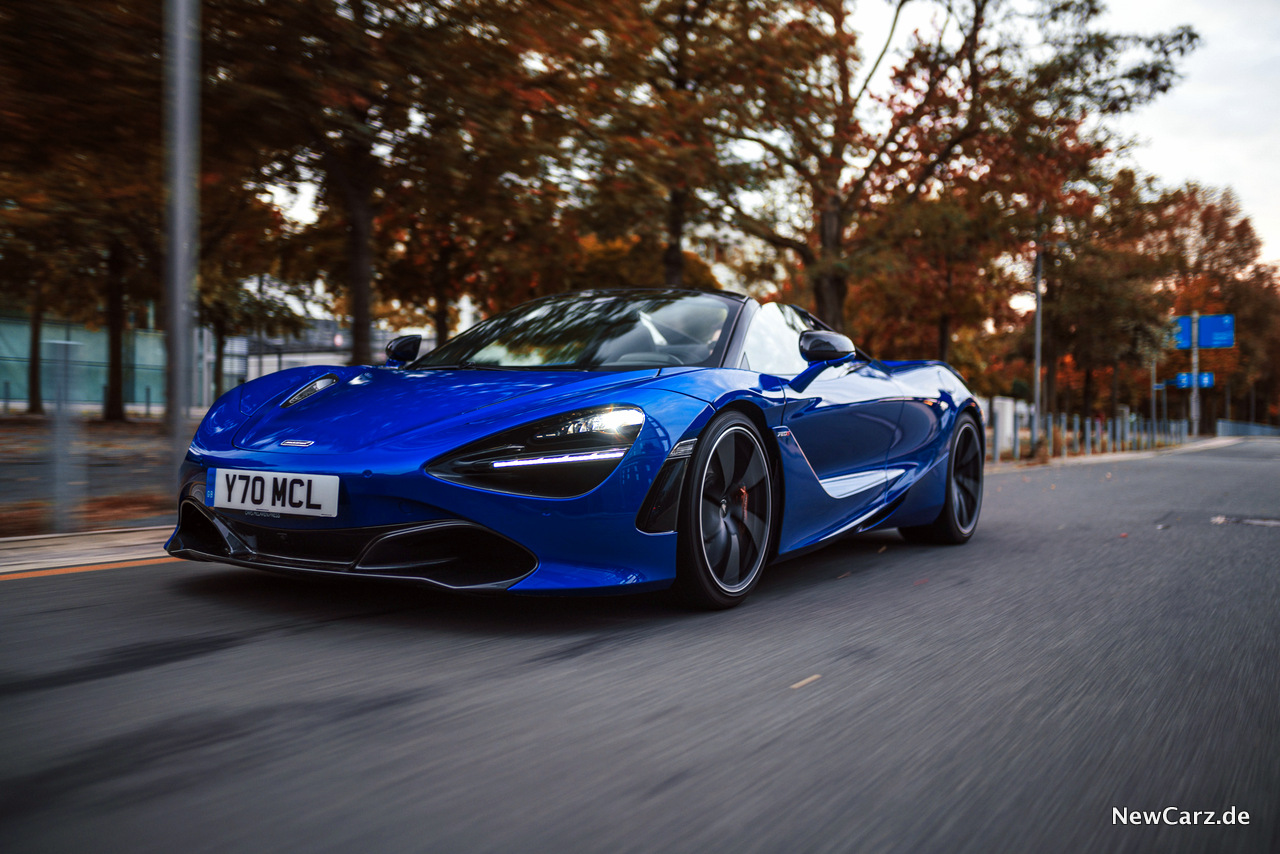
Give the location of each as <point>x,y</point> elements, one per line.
<point>182,124</point>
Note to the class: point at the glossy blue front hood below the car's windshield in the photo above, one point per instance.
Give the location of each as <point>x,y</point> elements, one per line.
<point>376,408</point>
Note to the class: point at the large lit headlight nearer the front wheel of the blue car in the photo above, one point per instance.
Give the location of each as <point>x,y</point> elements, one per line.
<point>560,458</point>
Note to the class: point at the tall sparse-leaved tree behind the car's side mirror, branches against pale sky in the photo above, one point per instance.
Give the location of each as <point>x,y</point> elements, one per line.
<point>985,72</point>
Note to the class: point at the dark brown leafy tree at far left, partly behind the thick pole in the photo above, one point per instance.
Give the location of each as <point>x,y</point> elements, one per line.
<point>83,83</point>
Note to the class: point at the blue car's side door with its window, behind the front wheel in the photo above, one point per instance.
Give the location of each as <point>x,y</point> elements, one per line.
<point>843,417</point>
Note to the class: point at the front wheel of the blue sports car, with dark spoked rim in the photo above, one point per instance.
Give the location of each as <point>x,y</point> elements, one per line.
<point>728,515</point>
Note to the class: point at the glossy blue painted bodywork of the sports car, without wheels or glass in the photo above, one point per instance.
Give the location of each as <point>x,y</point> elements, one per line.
<point>853,441</point>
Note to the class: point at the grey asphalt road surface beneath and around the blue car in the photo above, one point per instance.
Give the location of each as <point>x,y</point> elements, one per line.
<point>1101,643</point>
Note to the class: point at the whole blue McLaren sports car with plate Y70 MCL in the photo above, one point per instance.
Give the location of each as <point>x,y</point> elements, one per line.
<point>593,442</point>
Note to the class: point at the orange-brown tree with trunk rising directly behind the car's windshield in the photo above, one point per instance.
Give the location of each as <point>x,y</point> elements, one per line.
<point>661,102</point>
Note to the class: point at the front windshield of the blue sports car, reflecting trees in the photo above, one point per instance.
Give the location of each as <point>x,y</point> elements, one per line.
<point>596,332</point>
